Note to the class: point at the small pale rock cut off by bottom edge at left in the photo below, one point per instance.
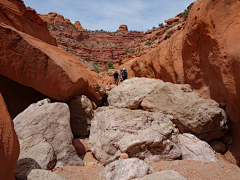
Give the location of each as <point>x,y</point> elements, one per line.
<point>39,174</point>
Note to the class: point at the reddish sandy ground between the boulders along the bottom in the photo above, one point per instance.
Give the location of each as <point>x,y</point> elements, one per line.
<point>191,170</point>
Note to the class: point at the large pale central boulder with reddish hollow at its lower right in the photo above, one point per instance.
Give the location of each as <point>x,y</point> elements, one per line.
<point>147,136</point>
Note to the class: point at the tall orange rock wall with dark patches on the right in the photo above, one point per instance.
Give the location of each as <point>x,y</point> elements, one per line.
<point>203,52</point>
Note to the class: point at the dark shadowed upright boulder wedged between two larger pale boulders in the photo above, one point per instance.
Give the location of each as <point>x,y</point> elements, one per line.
<point>81,114</point>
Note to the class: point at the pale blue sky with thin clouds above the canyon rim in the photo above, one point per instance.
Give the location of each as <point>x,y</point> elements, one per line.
<point>138,15</point>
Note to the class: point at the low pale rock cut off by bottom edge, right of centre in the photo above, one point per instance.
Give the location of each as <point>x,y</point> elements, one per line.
<point>163,175</point>
